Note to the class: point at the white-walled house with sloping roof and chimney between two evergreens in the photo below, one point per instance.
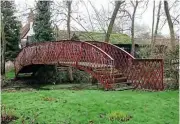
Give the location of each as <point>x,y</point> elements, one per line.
<point>26,33</point>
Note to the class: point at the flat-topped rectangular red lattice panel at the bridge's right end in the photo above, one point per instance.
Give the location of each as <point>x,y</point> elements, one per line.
<point>146,74</point>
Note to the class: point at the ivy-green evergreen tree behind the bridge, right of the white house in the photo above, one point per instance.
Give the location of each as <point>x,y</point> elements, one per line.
<point>42,24</point>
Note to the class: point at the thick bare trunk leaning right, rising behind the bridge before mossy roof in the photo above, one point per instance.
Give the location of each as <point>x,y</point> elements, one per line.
<point>113,17</point>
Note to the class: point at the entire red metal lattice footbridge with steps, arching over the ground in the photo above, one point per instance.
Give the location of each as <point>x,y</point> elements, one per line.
<point>107,63</point>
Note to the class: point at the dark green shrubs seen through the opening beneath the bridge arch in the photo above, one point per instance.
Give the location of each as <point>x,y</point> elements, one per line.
<point>49,75</point>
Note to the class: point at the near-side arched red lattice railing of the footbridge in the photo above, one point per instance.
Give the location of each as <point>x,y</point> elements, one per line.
<point>78,54</point>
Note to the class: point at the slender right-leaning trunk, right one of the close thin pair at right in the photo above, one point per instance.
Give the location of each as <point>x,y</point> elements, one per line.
<point>156,29</point>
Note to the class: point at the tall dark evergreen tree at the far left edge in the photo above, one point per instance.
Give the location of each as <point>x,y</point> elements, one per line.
<point>11,29</point>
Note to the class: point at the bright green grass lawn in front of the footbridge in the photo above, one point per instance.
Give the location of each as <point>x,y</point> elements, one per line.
<point>93,106</point>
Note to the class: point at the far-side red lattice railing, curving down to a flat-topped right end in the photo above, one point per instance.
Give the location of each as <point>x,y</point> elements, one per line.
<point>143,73</point>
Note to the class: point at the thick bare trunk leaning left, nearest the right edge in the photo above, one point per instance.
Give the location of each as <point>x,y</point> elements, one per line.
<point>171,29</point>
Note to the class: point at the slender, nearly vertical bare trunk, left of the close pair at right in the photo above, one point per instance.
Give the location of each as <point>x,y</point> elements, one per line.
<point>152,31</point>
